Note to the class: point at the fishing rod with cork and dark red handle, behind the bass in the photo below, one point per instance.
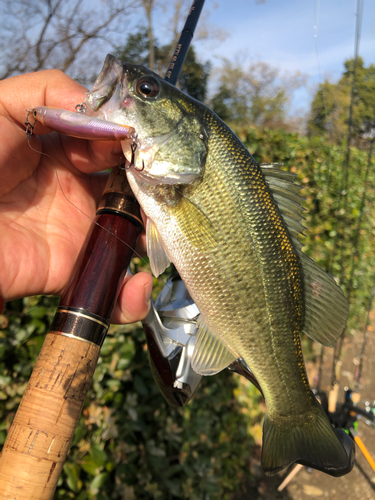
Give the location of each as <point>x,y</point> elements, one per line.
<point>40,436</point>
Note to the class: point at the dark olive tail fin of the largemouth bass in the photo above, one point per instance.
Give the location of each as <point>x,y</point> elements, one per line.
<point>310,441</point>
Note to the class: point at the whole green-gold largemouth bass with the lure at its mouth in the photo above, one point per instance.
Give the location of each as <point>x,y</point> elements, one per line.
<point>230,226</point>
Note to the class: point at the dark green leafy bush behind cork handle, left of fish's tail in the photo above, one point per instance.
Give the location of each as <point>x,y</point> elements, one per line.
<point>129,444</point>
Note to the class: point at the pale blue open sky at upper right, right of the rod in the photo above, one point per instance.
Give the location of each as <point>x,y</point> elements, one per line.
<point>282,33</point>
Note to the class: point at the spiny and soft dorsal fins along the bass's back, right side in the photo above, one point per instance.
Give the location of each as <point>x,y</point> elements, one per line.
<point>326,308</point>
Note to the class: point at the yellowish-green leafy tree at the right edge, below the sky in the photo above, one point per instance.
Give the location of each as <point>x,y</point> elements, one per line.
<point>330,106</point>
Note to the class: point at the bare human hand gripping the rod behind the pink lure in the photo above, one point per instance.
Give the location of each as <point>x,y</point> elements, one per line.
<point>41,233</point>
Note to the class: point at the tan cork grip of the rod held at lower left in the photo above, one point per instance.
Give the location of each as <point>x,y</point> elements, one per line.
<point>39,440</point>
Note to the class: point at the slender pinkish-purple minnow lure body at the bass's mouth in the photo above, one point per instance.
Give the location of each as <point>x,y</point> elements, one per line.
<point>77,124</point>
